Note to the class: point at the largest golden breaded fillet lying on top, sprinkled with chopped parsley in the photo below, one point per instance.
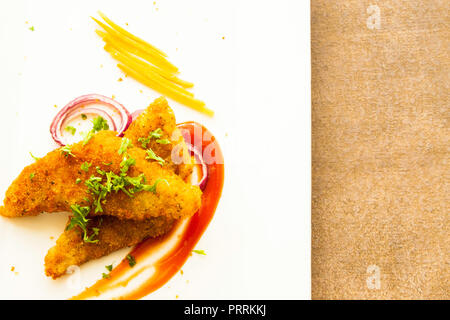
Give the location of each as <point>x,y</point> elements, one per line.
<point>50,185</point>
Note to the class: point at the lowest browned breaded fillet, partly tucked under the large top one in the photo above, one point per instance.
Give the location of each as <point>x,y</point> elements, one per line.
<point>114,234</point>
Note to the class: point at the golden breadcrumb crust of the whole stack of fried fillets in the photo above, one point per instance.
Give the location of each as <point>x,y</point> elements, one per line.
<point>53,188</point>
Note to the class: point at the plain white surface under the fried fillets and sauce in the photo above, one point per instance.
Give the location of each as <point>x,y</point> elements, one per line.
<point>257,80</point>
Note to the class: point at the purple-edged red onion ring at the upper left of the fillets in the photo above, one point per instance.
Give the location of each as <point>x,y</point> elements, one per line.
<point>113,110</point>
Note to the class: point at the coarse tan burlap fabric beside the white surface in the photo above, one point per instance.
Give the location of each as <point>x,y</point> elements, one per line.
<point>380,137</point>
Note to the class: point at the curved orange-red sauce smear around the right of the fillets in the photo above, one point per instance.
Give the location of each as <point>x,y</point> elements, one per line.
<point>172,261</point>
